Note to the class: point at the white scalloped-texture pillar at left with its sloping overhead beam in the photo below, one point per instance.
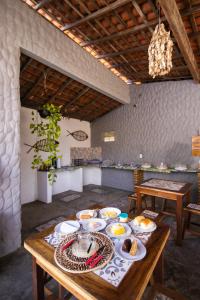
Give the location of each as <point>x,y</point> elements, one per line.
<point>22,28</point>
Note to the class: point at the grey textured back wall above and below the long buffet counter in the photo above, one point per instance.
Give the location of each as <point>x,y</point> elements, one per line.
<point>159,123</point>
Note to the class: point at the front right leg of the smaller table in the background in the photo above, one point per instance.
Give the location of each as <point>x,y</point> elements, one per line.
<point>179,219</point>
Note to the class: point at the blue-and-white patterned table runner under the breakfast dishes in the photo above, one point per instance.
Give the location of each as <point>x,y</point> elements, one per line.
<point>117,268</point>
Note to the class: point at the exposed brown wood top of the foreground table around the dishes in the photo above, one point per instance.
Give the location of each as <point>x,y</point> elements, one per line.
<point>90,286</point>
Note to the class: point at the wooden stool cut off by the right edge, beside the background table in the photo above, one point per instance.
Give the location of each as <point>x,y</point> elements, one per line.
<point>190,209</point>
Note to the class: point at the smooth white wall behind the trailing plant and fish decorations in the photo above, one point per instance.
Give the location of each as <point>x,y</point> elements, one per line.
<point>29,176</point>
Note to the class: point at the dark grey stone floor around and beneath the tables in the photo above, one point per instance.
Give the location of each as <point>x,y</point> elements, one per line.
<point>182,264</point>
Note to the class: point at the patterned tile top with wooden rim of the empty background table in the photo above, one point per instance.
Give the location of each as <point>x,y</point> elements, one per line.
<point>170,186</point>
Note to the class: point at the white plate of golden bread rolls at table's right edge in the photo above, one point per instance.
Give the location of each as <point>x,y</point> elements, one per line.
<point>142,224</point>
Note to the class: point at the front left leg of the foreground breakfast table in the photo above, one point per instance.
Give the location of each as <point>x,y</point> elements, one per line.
<point>37,281</point>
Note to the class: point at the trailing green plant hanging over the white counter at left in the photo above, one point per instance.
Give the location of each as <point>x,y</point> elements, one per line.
<point>50,131</point>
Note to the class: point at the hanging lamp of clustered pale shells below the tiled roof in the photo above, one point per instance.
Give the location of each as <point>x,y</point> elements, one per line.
<point>160,51</point>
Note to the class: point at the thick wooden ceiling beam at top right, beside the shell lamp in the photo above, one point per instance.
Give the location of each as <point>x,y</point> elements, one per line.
<point>171,12</point>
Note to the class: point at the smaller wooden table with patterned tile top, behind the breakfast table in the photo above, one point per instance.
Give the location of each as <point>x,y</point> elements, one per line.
<point>171,190</point>
